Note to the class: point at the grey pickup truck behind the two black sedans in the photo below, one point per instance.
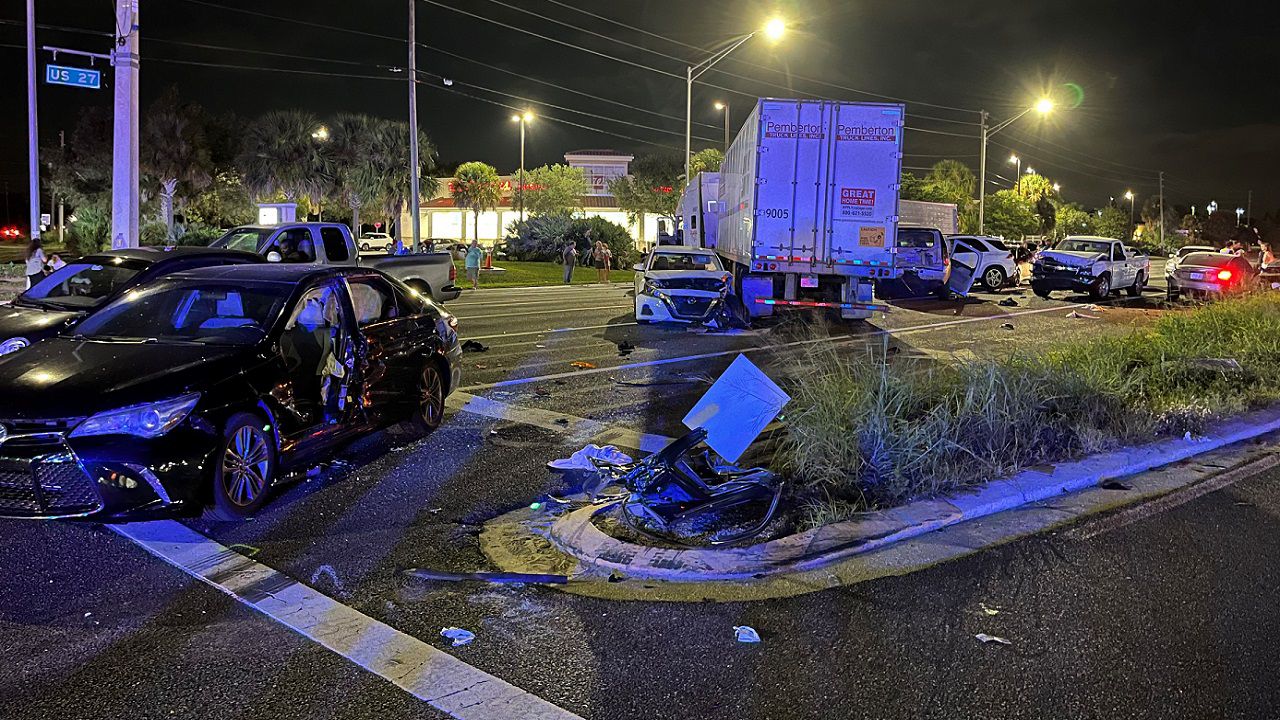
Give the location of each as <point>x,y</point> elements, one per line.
<point>331,244</point>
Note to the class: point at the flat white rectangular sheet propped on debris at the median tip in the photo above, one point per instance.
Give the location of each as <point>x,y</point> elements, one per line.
<point>737,409</point>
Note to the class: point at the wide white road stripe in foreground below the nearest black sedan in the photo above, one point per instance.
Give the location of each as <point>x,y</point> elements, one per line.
<point>436,677</point>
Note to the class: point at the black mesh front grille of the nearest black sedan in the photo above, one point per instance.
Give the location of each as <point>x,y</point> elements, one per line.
<point>42,479</point>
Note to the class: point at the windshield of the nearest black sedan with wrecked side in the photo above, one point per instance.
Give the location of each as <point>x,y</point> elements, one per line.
<point>205,312</point>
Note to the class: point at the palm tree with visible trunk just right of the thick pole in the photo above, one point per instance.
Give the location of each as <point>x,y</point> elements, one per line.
<point>175,152</point>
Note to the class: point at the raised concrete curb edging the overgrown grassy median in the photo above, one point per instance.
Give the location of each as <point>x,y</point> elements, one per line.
<point>577,536</point>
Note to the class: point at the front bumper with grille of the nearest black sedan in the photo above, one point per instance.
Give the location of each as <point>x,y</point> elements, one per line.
<point>53,476</point>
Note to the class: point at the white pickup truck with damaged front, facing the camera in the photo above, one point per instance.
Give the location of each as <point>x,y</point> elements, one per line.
<point>1099,266</point>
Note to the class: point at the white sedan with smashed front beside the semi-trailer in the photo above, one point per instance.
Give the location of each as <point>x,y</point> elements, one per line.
<point>682,285</point>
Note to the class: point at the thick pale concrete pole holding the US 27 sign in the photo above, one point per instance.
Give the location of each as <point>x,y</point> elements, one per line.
<point>125,153</point>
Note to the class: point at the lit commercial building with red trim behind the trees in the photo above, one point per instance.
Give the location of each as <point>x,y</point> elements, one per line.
<point>442,220</point>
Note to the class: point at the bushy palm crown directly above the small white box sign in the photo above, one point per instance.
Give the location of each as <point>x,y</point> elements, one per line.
<point>282,154</point>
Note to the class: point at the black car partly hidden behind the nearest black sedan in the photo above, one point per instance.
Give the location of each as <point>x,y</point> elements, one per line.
<point>70,294</point>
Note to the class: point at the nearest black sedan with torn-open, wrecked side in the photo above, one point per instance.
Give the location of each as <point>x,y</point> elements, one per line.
<point>202,390</point>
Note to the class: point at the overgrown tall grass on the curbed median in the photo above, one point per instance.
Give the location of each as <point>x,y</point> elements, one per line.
<point>866,434</point>
